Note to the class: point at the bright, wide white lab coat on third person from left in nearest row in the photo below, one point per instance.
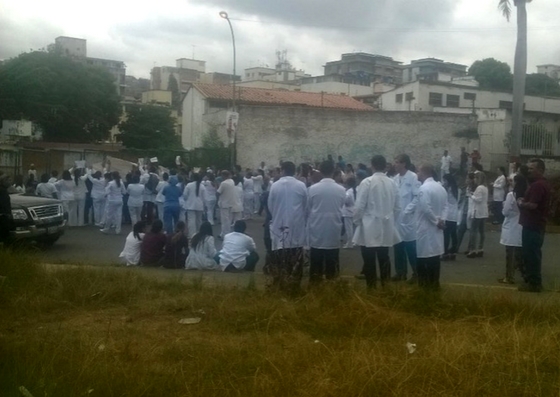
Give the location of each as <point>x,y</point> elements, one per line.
<point>375,212</point>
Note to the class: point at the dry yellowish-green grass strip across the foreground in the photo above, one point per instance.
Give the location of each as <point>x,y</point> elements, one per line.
<point>103,332</point>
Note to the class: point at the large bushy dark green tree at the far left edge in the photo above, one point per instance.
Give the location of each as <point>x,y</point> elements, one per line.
<point>71,101</point>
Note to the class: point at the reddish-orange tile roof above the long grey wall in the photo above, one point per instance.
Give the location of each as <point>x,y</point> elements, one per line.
<point>261,96</point>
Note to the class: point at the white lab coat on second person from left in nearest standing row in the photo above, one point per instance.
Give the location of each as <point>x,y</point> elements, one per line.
<point>324,219</point>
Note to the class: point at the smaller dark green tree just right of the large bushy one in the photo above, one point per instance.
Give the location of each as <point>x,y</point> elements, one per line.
<point>149,127</point>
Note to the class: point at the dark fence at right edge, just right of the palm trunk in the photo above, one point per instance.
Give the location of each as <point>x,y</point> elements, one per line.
<point>537,140</point>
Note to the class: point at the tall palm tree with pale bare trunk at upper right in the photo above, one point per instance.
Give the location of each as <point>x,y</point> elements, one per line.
<point>519,70</point>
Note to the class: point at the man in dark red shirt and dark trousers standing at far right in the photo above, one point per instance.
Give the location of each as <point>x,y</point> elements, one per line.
<point>533,211</point>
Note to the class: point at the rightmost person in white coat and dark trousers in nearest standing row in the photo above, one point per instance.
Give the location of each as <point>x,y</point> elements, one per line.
<point>430,212</point>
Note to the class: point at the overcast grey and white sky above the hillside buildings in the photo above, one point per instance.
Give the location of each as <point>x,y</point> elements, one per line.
<point>147,34</point>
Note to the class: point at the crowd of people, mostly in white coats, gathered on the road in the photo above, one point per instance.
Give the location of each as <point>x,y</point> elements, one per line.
<point>311,212</point>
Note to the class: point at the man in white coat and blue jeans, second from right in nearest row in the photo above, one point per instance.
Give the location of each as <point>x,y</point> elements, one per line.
<point>408,185</point>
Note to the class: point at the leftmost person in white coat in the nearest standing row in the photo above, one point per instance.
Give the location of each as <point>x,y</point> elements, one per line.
<point>287,203</point>
